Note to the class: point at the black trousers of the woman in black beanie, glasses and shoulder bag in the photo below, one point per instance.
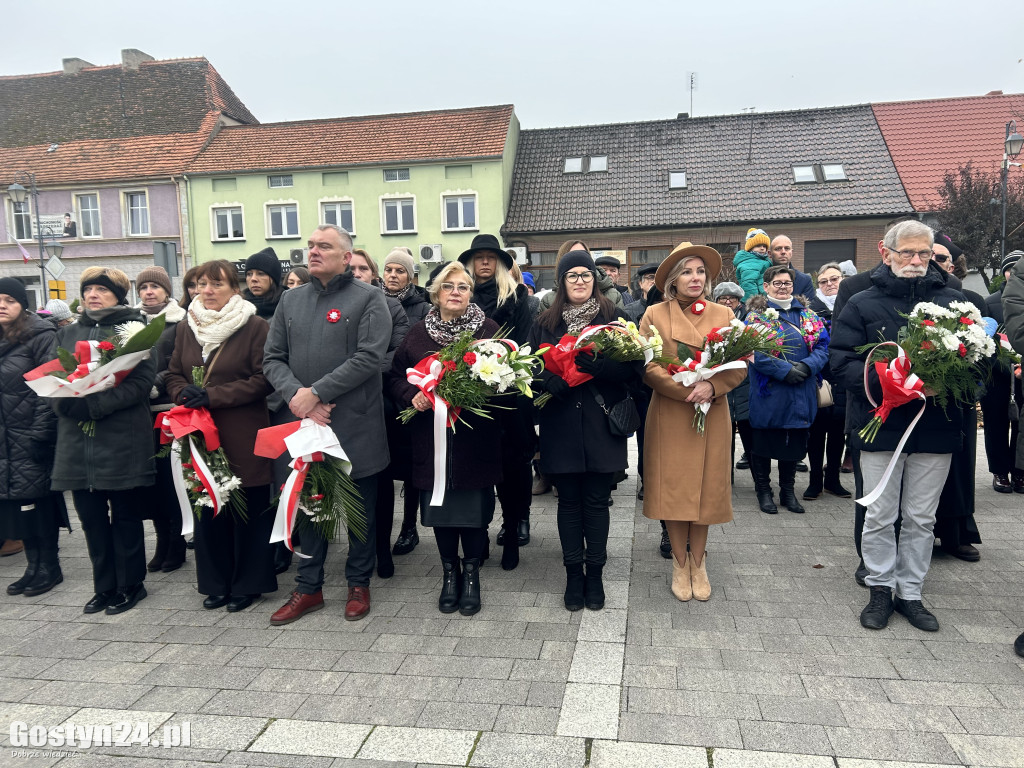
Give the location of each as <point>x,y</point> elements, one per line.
<point>583,517</point>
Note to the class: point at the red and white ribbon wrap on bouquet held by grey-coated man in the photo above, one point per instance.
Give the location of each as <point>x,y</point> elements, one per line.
<point>308,442</point>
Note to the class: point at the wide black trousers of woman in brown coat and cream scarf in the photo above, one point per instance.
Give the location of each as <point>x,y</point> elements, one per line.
<point>236,558</point>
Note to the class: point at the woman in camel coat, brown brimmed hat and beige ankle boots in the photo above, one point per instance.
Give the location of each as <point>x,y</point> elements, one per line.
<point>687,476</point>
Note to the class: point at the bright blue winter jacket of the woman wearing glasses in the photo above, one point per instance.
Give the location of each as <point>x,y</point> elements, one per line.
<point>776,405</point>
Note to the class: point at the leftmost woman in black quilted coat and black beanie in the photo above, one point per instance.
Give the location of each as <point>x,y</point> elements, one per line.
<point>28,431</point>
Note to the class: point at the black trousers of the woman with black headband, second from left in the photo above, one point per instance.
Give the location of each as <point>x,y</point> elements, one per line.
<point>112,522</point>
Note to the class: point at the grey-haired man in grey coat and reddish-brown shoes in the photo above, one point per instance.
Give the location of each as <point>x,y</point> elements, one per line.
<point>323,356</point>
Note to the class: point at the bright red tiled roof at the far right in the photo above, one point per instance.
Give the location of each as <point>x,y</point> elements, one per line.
<point>928,139</point>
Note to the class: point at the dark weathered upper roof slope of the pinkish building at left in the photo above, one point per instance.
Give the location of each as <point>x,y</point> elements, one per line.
<point>107,103</point>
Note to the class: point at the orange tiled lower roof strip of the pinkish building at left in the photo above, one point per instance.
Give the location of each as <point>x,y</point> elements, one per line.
<point>104,160</point>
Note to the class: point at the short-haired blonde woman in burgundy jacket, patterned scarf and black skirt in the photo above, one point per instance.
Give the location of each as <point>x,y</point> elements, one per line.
<point>474,449</point>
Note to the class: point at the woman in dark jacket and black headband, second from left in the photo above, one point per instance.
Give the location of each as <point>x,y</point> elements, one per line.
<point>109,471</point>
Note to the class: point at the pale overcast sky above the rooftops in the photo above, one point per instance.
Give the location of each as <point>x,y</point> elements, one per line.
<point>560,63</point>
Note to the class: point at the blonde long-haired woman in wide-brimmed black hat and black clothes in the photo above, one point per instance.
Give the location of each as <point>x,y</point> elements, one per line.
<point>506,303</point>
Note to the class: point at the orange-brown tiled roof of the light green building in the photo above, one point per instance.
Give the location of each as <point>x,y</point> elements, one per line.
<point>378,139</point>
